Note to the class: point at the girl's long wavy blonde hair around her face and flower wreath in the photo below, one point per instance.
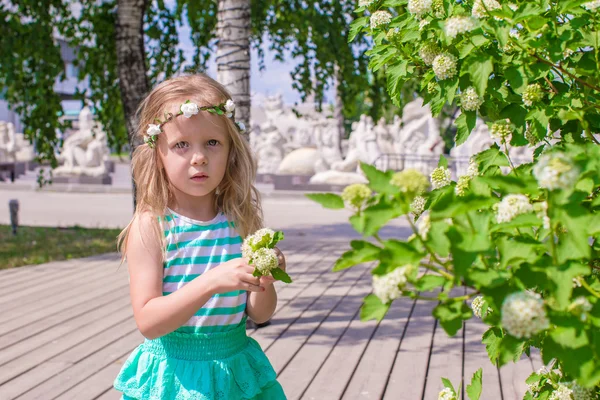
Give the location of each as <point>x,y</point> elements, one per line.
<point>235,196</point>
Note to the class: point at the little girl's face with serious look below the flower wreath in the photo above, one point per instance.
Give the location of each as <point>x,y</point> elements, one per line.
<point>194,153</point>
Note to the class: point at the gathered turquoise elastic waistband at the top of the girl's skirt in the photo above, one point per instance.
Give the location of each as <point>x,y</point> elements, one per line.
<point>199,346</point>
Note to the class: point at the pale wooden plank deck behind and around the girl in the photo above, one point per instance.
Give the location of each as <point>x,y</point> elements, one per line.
<point>67,327</point>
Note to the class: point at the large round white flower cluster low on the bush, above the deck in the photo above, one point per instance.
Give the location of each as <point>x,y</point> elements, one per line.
<point>524,315</point>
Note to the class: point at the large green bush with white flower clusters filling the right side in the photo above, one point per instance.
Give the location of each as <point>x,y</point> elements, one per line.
<point>525,239</point>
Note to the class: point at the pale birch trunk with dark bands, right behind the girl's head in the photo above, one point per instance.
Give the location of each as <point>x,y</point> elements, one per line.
<point>233,54</point>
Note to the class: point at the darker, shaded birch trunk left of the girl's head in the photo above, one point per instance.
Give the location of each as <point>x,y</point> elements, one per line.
<point>131,60</point>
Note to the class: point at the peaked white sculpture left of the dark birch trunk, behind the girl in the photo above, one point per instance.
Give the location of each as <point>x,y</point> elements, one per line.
<point>84,152</point>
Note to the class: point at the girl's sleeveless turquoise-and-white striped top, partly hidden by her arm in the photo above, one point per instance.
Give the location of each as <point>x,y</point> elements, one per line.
<point>192,248</point>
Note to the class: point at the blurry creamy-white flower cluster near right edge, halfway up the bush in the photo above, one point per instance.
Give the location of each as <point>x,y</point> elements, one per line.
<point>555,171</point>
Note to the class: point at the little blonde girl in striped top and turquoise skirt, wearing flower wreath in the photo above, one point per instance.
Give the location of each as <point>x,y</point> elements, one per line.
<point>191,290</point>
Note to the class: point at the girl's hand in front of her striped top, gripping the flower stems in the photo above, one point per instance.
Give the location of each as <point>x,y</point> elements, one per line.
<point>233,275</point>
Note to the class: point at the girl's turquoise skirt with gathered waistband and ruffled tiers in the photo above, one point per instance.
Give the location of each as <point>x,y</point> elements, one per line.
<point>216,366</point>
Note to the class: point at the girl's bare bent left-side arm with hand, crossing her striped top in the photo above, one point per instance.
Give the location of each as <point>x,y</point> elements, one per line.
<point>155,314</point>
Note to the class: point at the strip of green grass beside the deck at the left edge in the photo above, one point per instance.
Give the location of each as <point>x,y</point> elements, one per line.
<point>38,245</point>
